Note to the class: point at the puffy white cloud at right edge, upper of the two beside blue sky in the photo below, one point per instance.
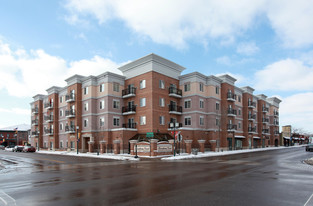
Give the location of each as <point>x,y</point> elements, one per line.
<point>285,75</point>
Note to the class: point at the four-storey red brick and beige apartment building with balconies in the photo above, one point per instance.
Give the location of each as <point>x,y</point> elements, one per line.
<point>110,111</point>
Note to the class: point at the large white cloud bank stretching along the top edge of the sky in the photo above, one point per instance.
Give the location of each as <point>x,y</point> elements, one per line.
<point>177,21</point>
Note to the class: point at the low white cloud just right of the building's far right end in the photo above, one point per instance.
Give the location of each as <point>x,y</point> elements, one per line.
<point>297,110</point>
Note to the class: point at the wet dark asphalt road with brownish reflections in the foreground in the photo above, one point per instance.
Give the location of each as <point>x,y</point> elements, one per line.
<point>275,177</point>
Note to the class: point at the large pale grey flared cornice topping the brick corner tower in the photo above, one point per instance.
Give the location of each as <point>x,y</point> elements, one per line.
<point>151,62</point>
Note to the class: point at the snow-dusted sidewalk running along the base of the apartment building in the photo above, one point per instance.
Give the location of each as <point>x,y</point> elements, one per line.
<point>177,157</point>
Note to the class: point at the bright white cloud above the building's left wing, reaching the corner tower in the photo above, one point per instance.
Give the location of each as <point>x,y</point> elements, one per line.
<point>24,73</point>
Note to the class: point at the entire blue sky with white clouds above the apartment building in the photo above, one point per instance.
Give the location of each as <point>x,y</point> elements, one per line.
<point>266,44</point>
